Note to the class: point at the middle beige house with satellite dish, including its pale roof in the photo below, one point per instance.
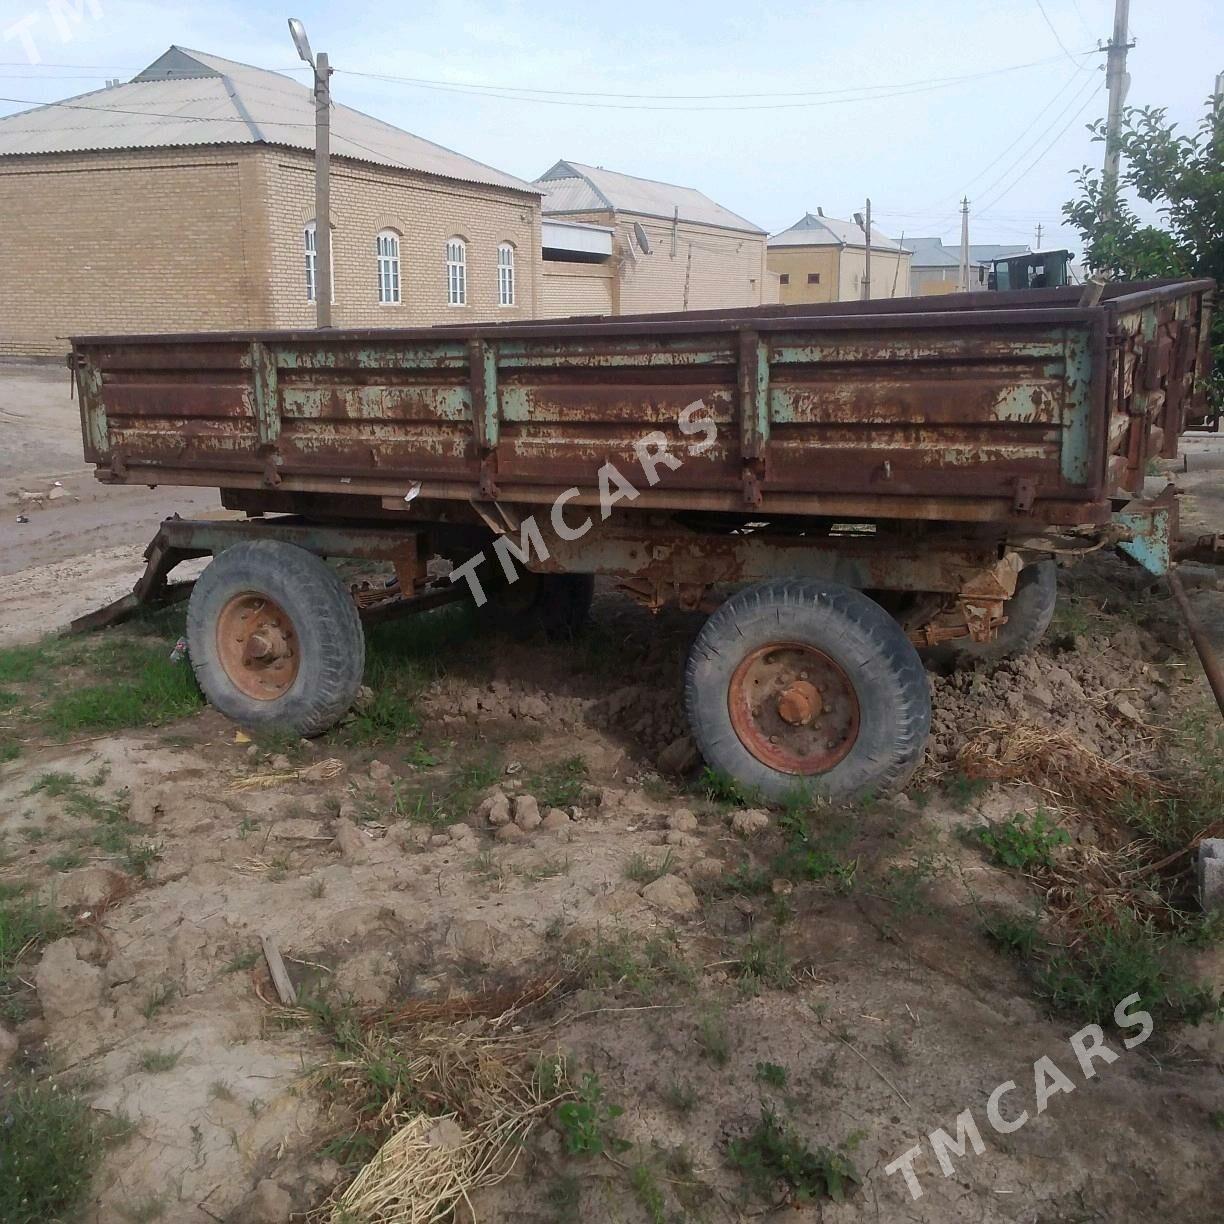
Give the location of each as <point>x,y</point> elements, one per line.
<point>670,248</point>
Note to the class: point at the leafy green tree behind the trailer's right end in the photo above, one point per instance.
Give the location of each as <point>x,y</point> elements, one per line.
<point>1184,177</point>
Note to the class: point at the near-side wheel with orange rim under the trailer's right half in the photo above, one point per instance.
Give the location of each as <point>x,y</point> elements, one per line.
<point>796,685</point>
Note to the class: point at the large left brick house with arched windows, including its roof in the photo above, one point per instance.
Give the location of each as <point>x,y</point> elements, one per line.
<point>184,201</point>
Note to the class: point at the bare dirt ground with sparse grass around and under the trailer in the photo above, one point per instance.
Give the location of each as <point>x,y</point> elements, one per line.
<point>866,1004</point>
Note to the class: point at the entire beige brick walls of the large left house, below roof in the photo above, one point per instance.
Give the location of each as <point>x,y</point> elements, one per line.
<point>167,241</point>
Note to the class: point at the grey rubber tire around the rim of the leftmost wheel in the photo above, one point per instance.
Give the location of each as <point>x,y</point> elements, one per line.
<point>325,616</point>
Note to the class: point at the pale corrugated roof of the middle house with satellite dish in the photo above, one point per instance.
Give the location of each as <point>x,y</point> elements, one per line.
<point>573,188</point>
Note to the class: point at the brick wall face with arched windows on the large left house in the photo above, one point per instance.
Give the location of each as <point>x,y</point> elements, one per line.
<point>425,212</point>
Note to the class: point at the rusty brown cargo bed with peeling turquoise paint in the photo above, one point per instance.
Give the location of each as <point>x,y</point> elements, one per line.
<point>1003,408</point>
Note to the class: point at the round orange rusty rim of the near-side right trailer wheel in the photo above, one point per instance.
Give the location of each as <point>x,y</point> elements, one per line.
<point>794,708</point>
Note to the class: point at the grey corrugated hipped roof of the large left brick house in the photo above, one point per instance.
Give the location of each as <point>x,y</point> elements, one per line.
<point>189,99</point>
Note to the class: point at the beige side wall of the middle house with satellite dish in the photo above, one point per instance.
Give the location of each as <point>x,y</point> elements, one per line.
<point>711,269</point>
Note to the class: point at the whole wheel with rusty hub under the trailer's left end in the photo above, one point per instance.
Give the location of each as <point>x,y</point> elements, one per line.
<point>275,638</point>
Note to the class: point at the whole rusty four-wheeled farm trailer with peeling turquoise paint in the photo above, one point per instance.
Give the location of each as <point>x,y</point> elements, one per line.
<point>840,487</point>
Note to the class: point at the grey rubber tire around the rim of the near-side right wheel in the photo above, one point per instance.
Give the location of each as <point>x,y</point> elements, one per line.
<point>884,651</point>
